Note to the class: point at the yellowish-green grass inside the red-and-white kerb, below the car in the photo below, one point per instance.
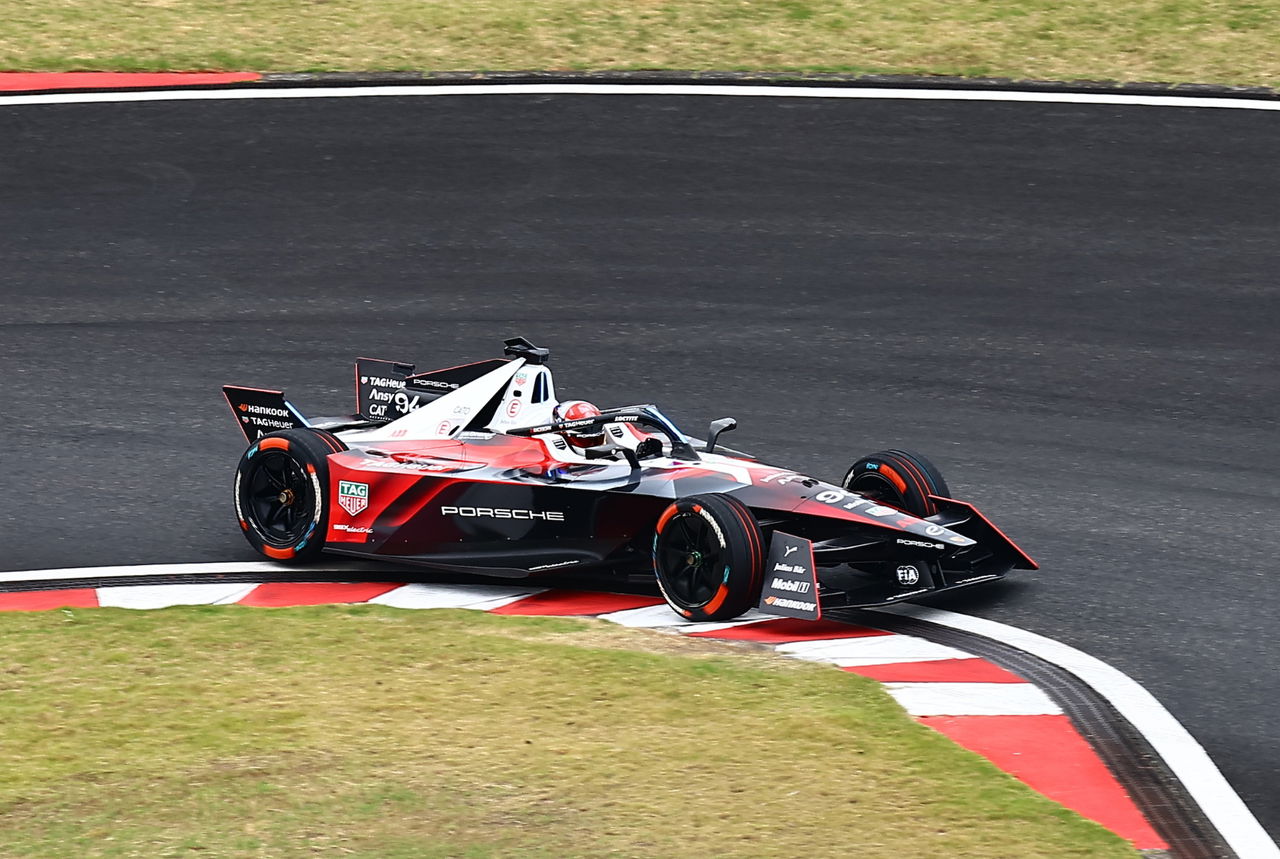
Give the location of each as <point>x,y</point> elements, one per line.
<point>228,732</point>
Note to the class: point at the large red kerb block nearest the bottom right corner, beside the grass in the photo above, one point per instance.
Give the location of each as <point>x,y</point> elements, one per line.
<point>1052,757</point>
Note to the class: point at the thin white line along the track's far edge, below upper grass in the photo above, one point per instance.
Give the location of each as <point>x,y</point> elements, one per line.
<point>263,92</point>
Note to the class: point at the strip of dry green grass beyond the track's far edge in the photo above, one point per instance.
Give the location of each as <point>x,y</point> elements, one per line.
<point>1209,42</point>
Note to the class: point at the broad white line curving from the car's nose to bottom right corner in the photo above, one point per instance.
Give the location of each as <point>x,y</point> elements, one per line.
<point>1172,742</point>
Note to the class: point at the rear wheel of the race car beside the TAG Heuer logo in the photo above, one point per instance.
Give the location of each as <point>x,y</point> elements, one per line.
<point>282,494</point>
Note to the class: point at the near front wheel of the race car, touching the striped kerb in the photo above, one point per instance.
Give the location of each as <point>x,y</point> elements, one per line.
<point>708,556</point>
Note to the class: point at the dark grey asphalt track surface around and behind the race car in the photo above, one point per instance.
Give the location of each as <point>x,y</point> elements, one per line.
<point>1071,308</point>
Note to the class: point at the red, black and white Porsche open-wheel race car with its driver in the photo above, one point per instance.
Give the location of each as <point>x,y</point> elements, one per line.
<point>481,469</point>
